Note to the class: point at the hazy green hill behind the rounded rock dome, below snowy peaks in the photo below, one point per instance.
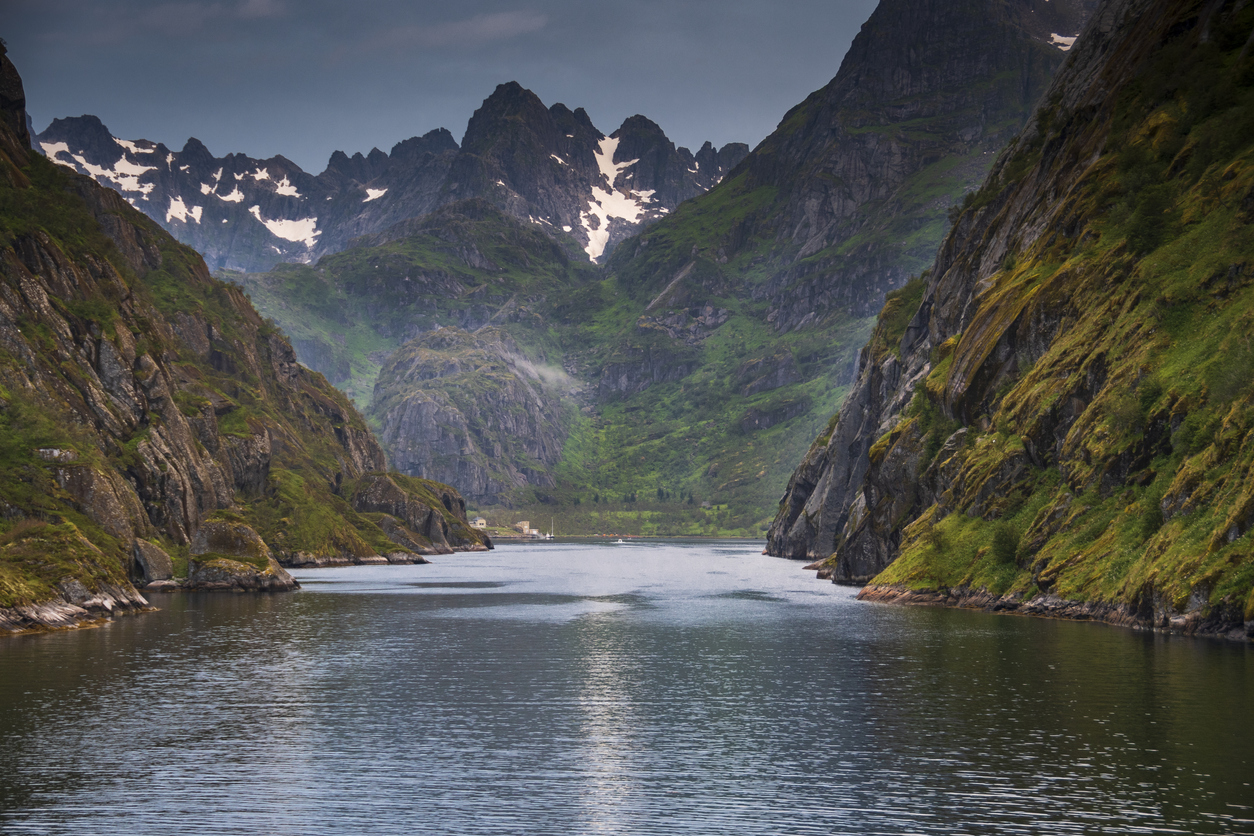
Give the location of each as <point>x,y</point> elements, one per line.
<point>467,265</point>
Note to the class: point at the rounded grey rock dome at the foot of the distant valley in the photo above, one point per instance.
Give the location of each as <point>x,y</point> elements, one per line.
<point>471,410</point>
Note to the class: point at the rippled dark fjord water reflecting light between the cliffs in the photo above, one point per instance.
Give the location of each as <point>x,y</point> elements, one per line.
<point>636,689</point>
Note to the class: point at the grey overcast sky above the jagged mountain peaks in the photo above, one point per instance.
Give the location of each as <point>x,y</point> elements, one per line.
<point>303,78</point>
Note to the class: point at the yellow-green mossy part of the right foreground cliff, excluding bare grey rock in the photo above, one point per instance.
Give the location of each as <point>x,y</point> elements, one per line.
<point>1103,389</point>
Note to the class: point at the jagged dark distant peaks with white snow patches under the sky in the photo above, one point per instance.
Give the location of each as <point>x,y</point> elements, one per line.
<point>545,166</point>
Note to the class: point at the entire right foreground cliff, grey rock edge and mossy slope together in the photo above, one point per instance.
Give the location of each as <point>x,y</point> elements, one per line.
<point>1064,422</point>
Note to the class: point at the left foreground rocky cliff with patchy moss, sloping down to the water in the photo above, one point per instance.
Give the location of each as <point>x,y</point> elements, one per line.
<point>154,428</point>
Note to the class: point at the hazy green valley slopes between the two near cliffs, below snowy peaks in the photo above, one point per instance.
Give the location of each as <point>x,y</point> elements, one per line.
<point>699,363</point>
